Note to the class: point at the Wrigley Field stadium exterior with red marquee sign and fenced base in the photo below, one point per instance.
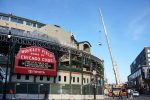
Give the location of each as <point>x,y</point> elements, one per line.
<point>40,61</point>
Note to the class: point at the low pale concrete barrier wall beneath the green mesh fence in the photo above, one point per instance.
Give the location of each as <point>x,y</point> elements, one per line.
<point>56,97</point>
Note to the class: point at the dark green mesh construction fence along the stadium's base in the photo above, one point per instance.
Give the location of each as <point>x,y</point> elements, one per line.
<point>53,88</point>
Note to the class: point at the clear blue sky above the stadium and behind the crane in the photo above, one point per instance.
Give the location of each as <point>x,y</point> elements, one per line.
<point>127,22</point>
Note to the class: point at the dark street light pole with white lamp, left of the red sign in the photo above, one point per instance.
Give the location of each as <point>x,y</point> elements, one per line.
<point>5,84</point>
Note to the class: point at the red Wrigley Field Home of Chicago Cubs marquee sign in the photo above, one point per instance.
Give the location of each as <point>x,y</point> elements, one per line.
<point>35,60</point>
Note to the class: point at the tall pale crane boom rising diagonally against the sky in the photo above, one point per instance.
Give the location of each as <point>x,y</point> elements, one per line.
<point>114,64</point>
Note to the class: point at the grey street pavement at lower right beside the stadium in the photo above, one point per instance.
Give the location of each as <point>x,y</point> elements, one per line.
<point>141,97</point>
